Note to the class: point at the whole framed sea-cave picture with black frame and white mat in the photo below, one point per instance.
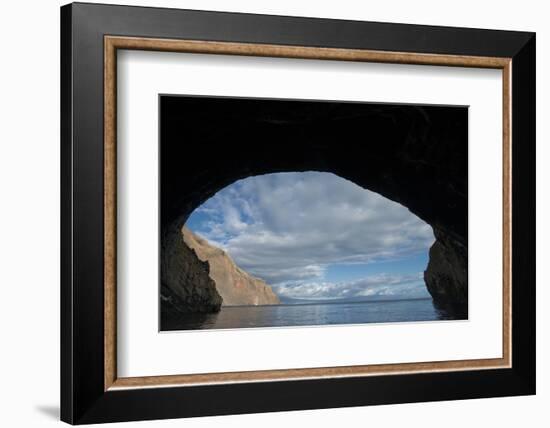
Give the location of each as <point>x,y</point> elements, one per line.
<point>265,213</point>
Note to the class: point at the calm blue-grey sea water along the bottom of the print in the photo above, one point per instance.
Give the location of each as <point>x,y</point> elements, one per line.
<point>312,314</point>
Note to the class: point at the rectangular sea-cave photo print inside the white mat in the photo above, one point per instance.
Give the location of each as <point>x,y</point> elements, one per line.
<point>286,213</point>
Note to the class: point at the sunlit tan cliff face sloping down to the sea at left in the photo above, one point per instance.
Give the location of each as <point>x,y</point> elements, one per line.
<point>235,286</point>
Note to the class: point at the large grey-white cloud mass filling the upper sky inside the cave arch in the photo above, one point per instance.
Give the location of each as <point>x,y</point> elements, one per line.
<point>290,226</point>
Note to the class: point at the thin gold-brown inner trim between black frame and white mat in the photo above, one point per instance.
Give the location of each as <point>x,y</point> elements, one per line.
<point>113,43</point>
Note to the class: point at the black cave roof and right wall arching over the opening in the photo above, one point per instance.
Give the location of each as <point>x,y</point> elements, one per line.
<point>416,155</point>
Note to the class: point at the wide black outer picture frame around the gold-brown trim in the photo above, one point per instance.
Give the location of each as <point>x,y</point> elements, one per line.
<point>83,396</point>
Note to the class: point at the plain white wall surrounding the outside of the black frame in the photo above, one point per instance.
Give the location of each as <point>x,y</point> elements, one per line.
<point>29,218</point>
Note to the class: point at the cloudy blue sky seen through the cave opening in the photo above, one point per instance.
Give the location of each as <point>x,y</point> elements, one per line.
<point>317,236</point>
